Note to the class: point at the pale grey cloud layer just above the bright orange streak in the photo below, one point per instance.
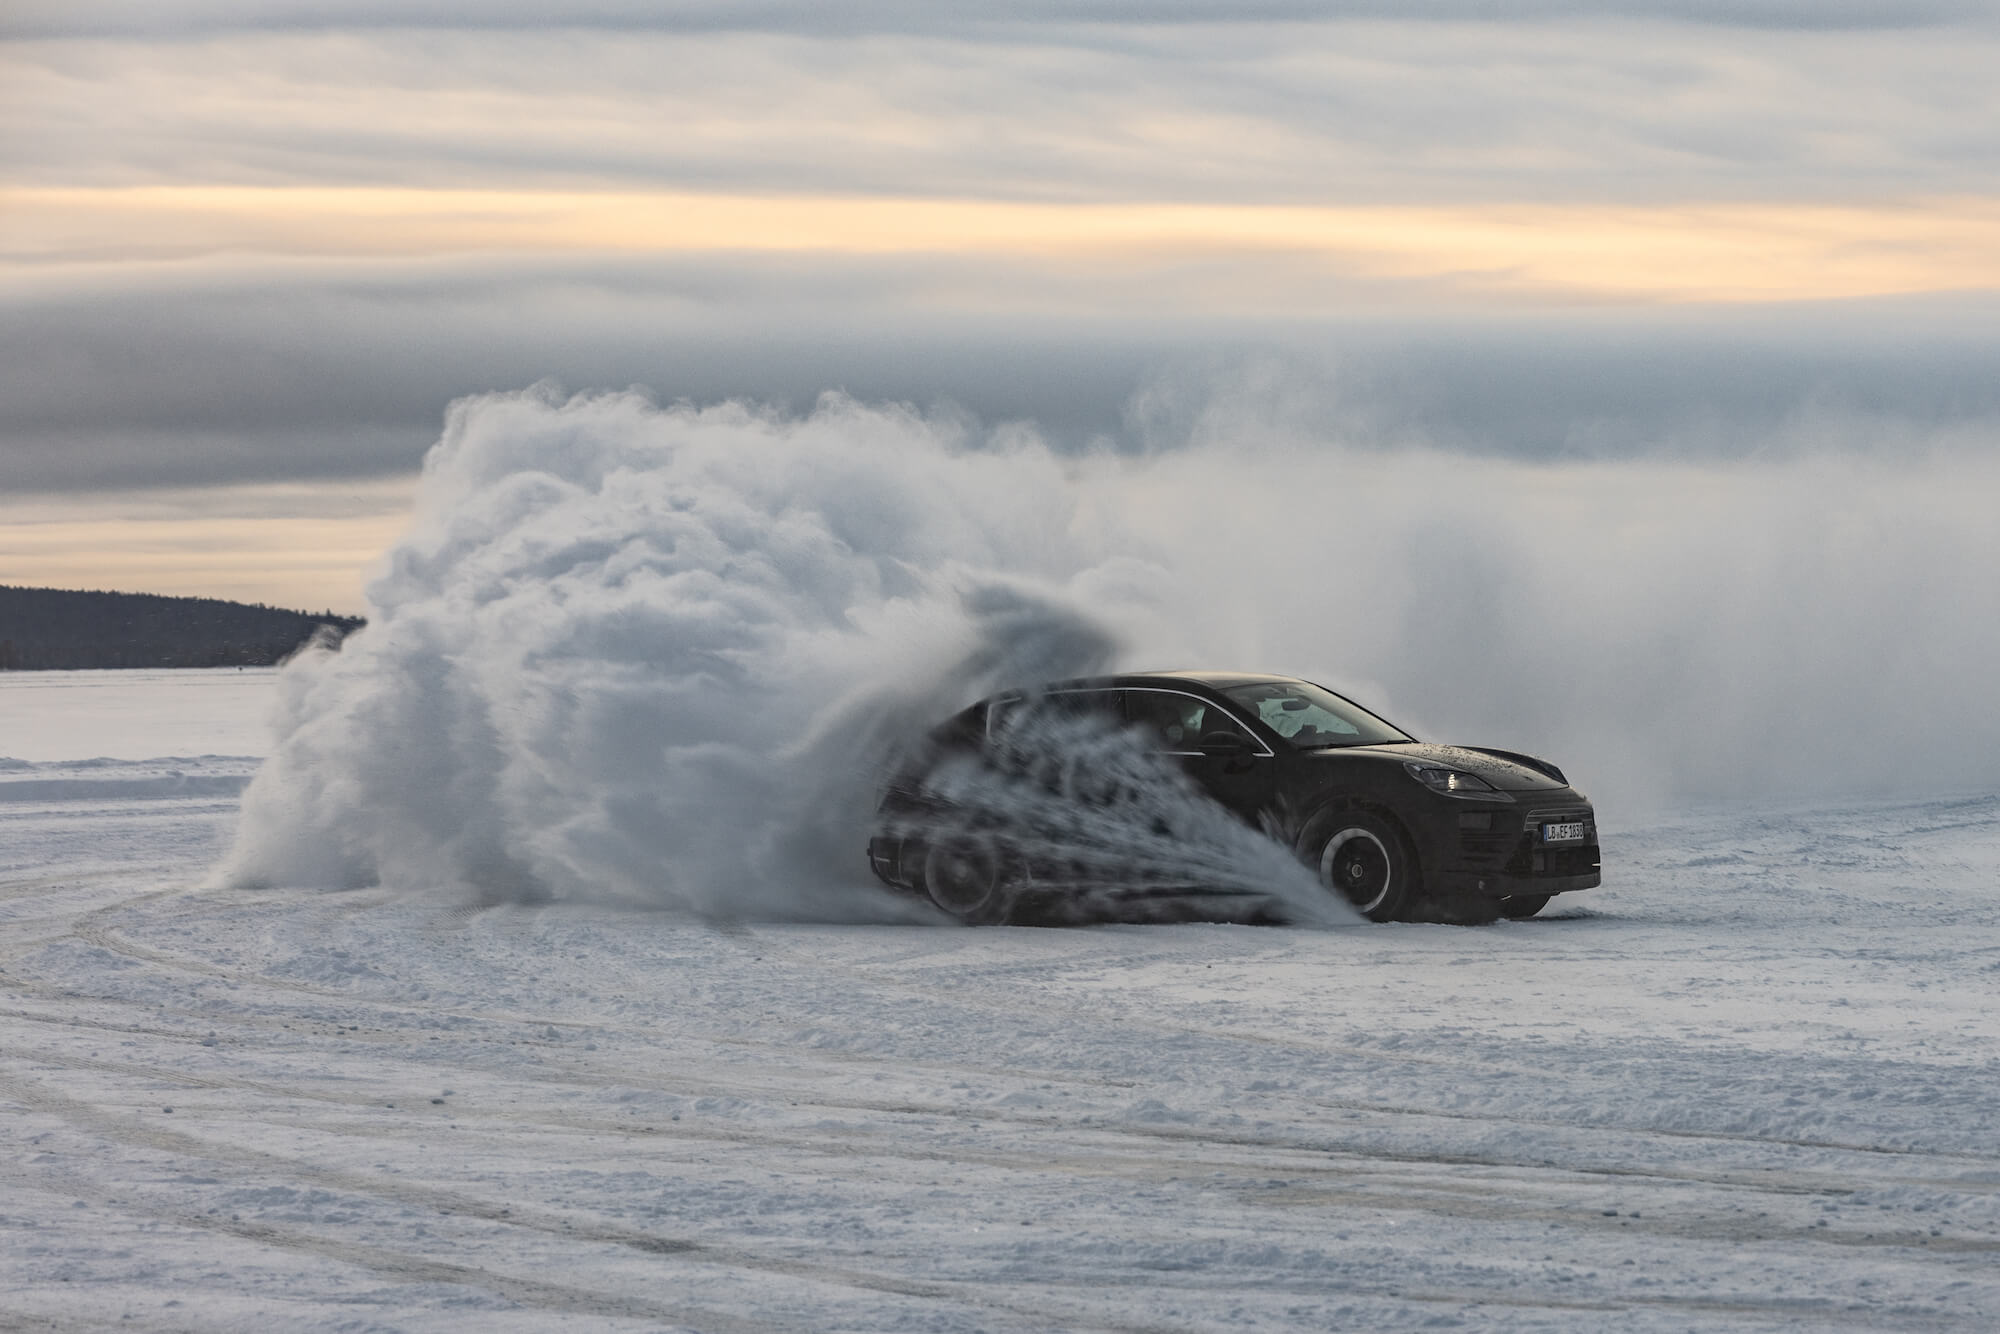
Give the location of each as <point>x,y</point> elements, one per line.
<point>1355,113</point>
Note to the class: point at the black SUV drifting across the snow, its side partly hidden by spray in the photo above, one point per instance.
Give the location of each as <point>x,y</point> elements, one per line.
<point>1395,825</point>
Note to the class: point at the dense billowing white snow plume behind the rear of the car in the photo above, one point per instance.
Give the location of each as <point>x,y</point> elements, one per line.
<point>665,655</point>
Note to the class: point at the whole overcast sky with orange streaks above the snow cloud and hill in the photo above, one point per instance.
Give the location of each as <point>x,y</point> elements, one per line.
<point>251,253</point>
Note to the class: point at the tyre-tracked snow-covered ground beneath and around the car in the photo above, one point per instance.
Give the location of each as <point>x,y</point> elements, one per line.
<point>1753,1083</point>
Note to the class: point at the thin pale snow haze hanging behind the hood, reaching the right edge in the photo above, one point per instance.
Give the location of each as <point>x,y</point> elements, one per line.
<point>1783,627</point>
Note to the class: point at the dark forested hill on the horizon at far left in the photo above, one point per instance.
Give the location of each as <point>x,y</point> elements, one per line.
<point>55,629</point>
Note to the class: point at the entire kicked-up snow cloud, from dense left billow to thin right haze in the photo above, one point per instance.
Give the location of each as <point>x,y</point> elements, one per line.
<point>661,655</point>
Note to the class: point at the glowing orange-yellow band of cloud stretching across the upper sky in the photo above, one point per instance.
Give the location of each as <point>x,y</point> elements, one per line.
<point>1689,253</point>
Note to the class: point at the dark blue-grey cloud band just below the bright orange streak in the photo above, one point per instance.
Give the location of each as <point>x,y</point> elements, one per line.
<point>211,377</point>
